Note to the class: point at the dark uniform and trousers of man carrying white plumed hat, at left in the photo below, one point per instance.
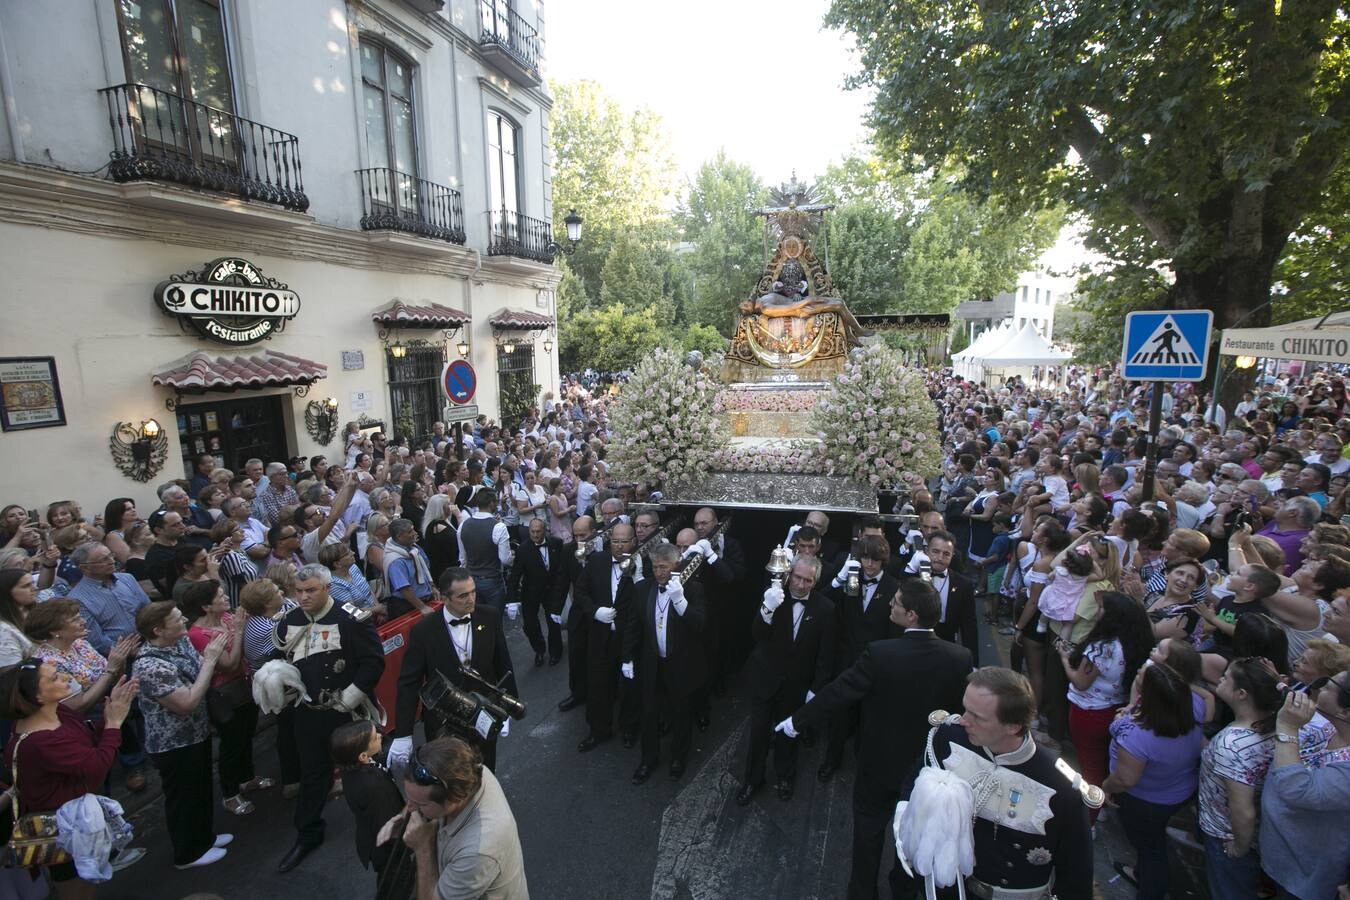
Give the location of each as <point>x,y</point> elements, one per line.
<point>334,651</point>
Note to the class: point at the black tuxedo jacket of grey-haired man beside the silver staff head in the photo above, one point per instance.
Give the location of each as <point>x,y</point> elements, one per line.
<point>778,663</point>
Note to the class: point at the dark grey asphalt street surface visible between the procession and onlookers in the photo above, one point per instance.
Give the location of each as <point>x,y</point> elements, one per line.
<point>587,832</point>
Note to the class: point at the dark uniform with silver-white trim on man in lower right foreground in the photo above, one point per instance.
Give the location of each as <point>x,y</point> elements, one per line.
<point>1032,835</point>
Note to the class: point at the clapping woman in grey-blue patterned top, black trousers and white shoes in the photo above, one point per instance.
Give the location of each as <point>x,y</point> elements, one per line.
<point>173,690</point>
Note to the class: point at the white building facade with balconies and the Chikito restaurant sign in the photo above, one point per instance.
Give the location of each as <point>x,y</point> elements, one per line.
<point>217,213</point>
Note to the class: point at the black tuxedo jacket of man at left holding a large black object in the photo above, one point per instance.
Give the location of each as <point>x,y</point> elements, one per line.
<point>431,651</point>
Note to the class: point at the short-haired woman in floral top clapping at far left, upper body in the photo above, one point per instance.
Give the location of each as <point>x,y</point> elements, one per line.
<point>60,632</point>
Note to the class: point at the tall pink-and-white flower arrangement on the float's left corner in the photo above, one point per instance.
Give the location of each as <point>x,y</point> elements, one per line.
<point>664,420</point>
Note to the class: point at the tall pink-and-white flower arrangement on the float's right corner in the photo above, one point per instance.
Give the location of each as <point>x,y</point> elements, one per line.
<point>877,422</point>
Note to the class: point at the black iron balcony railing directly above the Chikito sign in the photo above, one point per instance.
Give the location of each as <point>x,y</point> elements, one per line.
<point>161,137</point>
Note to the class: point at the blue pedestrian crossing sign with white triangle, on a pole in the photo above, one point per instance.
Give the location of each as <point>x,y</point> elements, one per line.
<point>1167,345</point>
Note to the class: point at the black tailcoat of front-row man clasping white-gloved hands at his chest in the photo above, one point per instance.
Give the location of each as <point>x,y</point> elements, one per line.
<point>686,660</point>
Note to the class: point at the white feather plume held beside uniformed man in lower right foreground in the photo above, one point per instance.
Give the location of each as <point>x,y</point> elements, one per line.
<point>934,831</point>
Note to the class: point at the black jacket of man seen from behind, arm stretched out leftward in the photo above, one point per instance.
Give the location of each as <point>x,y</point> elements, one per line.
<point>898,682</point>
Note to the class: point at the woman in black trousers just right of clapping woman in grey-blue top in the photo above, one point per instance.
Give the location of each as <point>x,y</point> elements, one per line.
<point>209,612</point>
